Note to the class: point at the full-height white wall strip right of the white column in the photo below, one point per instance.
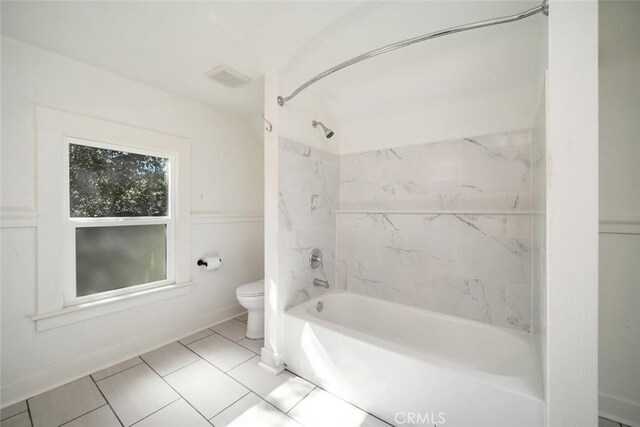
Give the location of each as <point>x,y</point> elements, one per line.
<point>619,323</point>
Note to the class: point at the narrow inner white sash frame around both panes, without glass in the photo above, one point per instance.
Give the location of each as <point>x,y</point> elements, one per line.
<point>70,294</point>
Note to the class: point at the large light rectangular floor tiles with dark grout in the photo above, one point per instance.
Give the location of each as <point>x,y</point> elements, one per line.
<point>209,378</point>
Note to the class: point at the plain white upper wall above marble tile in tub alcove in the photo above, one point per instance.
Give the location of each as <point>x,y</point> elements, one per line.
<point>473,83</point>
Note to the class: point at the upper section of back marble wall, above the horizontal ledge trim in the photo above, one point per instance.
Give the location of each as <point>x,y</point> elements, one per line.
<point>485,173</point>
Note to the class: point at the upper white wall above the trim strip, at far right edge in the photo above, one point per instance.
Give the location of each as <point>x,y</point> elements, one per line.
<point>619,108</point>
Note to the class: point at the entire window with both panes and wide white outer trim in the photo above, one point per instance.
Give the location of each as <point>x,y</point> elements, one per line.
<point>113,217</point>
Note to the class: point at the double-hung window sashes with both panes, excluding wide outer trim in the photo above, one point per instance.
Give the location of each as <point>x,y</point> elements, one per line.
<point>119,220</point>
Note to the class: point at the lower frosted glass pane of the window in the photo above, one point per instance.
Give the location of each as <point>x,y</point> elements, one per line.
<point>109,258</point>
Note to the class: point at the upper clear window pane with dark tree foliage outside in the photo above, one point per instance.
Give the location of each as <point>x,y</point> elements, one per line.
<point>110,183</point>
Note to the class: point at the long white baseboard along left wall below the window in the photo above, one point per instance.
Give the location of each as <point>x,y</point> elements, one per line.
<point>87,364</point>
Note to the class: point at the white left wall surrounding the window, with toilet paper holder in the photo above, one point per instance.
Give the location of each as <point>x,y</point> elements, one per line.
<point>226,177</point>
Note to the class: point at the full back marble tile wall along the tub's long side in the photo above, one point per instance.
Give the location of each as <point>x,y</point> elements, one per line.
<point>443,226</point>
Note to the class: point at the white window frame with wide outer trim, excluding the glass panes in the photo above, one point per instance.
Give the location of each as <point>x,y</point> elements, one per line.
<point>56,301</point>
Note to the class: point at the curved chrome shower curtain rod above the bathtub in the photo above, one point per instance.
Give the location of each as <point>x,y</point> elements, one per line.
<point>544,8</point>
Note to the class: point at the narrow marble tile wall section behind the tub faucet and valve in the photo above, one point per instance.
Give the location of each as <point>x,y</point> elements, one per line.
<point>309,182</point>
